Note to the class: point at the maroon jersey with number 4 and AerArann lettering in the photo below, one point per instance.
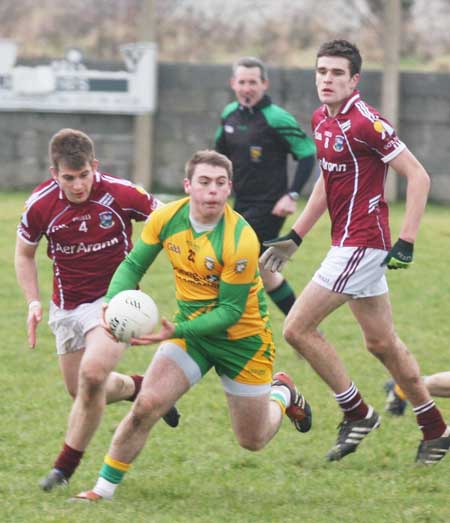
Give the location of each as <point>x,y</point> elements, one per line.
<point>86,242</point>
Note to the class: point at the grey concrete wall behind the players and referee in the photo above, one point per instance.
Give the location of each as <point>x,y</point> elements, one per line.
<point>191,97</point>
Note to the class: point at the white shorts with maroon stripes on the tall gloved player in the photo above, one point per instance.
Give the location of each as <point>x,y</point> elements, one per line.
<point>355,271</point>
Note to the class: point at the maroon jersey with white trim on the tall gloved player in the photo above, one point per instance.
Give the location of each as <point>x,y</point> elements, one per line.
<point>353,149</point>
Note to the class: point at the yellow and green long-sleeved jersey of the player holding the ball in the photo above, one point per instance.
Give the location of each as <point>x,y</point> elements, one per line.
<point>218,287</point>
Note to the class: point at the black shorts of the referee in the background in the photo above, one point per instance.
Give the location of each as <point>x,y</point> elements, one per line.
<point>260,217</point>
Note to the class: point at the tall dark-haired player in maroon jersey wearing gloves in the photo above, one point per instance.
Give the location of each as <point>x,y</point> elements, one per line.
<point>355,147</point>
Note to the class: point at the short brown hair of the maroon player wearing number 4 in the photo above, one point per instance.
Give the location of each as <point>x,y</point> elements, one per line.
<point>72,148</point>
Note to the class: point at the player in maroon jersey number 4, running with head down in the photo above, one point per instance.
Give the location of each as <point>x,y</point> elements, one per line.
<point>86,217</point>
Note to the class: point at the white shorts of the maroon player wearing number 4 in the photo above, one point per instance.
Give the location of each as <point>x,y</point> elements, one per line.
<point>70,327</point>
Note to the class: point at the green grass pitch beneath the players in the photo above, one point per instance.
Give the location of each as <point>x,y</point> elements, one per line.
<point>197,473</point>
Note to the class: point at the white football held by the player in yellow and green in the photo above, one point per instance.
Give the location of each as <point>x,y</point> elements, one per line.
<point>131,314</point>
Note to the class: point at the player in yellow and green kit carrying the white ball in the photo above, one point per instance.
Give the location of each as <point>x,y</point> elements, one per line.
<point>222,321</point>
